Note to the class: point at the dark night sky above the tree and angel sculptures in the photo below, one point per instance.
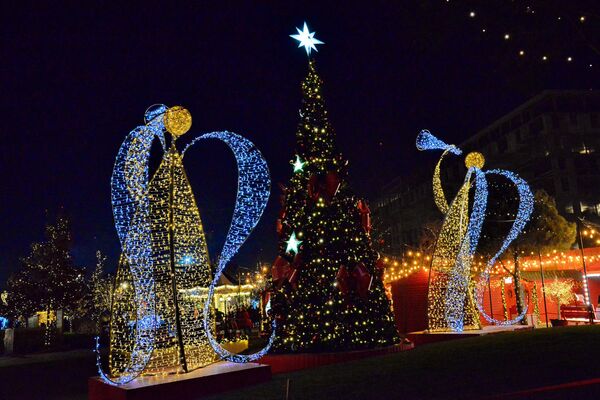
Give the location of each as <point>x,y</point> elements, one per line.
<point>74,82</point>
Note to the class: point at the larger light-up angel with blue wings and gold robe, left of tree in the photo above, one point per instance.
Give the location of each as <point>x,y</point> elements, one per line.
<point>155,326</point>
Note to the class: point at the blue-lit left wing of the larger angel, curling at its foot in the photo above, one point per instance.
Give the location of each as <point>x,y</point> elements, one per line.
<point>131,210</point>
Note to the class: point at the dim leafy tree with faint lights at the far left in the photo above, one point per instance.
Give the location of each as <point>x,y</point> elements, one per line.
<point>48,279</point>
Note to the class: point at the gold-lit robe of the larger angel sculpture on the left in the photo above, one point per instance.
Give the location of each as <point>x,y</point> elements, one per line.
<point>180,262</point>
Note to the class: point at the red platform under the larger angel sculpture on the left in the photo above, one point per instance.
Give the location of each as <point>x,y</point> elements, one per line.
<point>215,378</point>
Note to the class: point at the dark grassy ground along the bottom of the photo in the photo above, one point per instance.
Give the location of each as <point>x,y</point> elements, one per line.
<point>561,362</point>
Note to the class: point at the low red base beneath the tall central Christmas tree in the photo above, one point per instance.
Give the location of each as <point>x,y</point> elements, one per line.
<point>281,363</point>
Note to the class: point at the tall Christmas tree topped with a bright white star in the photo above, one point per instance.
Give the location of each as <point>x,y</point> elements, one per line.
<point>329,294</point>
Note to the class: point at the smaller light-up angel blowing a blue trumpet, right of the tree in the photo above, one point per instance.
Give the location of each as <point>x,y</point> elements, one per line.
<point>453,297</point>
